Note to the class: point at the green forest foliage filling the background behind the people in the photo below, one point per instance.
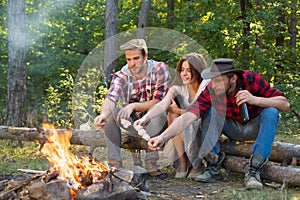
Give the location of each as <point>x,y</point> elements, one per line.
<point>61,34</point>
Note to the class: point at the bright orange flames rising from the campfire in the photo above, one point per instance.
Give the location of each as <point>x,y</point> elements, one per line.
<point>72,169</point>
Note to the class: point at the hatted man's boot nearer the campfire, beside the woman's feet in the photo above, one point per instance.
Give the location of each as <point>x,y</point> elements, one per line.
<point>213,170</point>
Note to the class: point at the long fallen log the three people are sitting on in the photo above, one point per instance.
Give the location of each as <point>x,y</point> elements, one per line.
<point>284,153</point>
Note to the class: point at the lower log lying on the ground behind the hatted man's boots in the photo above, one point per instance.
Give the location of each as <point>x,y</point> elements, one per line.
<point>271,172</point>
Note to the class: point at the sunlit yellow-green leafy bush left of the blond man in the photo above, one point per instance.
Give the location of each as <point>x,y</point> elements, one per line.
<point>62,106</point>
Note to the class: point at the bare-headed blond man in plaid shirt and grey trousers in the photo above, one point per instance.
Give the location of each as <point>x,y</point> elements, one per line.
<point>137,87</point>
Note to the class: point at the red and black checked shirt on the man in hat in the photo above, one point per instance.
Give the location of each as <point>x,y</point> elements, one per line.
<point>252,82</point>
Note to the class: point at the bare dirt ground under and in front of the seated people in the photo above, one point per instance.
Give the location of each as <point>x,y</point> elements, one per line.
<point>231,187</point>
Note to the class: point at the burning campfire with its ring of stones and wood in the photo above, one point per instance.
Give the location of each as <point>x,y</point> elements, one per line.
<point>73,177</point>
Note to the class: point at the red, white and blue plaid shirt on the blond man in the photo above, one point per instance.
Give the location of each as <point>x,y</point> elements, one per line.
<point>152,87</point>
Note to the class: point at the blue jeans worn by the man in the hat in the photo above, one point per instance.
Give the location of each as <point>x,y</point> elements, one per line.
<point>262,129</point>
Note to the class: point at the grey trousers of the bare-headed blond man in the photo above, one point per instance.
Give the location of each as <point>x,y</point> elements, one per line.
<point>113,138</point>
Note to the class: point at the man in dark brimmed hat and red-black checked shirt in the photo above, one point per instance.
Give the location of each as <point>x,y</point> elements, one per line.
<point>220,108</point>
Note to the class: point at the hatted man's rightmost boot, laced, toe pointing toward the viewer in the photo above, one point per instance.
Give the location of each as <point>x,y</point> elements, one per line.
<point>252,178</point>
